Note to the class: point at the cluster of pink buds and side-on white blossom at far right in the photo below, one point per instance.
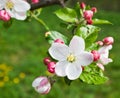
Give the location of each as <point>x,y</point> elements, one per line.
<point>101,56</point>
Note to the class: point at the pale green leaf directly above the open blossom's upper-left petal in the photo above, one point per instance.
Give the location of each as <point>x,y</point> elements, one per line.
<point>53,35</point>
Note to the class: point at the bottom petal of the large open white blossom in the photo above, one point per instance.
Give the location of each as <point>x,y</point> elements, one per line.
<point>73,72</point>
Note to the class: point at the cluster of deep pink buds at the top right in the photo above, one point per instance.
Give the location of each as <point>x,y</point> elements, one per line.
<point>88,14</point>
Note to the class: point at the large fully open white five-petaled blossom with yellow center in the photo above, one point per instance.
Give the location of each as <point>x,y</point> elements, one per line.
<point>70,59</point>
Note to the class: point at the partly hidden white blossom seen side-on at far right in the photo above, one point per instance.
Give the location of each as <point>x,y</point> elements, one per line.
<point>104,54</point>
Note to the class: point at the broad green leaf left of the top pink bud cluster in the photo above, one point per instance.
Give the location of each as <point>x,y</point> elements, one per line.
<point>67,14</point>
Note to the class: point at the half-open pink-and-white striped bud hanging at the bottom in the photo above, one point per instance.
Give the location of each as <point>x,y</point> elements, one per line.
<point>42,85</point>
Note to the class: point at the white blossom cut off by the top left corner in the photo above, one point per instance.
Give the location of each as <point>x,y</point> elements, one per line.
<point>15,8</point>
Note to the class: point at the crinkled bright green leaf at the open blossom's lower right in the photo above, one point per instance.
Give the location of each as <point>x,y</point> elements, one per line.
<point>93,75</point>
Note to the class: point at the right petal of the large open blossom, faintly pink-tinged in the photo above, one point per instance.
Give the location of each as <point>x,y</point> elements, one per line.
<point>85,58</point>
